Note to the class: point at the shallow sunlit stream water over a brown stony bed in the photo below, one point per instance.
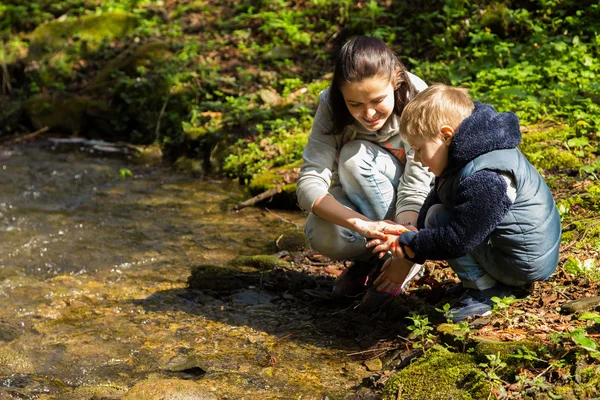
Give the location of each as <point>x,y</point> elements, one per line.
<point>93,271</point>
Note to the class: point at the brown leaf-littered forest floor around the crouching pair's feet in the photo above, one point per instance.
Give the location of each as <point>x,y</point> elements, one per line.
<point>547,312</point>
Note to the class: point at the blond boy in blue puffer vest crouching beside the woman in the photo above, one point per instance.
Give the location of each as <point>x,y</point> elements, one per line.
<point>490,213</point>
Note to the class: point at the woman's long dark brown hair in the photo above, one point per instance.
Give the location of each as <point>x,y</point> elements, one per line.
<point>361,58</point>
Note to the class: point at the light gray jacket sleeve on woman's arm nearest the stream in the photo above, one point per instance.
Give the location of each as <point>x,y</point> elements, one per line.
<point>319,158</point>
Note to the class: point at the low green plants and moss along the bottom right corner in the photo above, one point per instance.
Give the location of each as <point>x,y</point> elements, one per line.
<point>456,364</point>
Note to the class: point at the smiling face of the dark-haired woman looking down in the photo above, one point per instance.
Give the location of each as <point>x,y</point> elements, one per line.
<point>370,101</point>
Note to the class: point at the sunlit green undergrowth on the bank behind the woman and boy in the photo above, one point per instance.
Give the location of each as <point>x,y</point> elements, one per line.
<point>234,84</point>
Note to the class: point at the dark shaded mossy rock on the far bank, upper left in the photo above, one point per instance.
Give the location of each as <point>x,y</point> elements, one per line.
<point>68,114</point>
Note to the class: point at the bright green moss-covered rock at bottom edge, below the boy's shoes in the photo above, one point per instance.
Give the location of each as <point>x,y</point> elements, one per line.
<point>439,374</point>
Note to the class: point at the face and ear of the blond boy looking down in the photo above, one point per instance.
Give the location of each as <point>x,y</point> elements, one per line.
<point>432,153</point>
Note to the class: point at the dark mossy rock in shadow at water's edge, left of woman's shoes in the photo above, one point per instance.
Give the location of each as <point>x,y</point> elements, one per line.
<point>222,278</point>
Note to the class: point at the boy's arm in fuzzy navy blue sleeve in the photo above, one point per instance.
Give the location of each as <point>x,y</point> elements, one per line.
<point>481,203</point>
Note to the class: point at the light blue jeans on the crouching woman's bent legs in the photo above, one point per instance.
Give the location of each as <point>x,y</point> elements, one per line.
<point>369,177</point>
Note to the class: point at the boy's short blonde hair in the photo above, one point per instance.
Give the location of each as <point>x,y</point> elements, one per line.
<point>434,107</point>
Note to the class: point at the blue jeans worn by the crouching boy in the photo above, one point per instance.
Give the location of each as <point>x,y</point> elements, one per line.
<point>480,269</point>
